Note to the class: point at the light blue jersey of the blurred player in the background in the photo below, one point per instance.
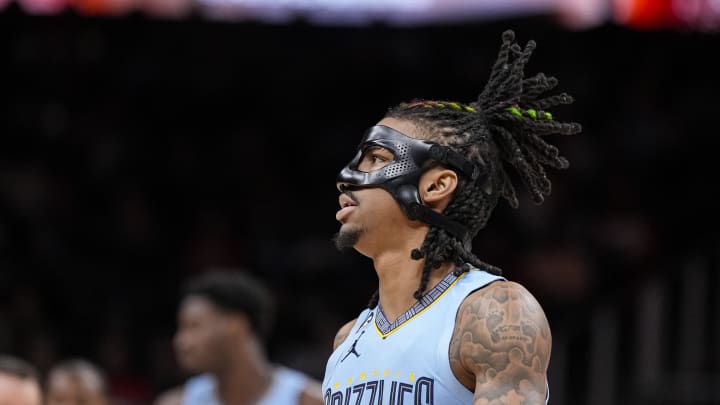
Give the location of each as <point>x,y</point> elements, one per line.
<point>286,389</point>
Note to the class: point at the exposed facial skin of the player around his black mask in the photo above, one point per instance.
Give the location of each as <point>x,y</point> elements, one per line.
<point>370,215</point>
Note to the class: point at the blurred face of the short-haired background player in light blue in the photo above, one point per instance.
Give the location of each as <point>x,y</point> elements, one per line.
<point>201,336</point>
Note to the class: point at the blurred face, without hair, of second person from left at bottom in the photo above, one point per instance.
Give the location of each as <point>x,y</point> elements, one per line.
<point>66,388</point>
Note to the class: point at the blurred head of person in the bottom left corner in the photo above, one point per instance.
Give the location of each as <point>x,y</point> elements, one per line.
<point>19,383</point>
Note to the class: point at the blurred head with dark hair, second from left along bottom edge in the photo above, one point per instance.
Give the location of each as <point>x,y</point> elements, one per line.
<point>76,382</point>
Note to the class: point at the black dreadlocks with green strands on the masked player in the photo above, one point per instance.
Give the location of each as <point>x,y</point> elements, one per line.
<point>503,128</point>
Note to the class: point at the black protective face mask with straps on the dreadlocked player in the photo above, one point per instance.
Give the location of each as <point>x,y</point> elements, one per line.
<point>411,157</point>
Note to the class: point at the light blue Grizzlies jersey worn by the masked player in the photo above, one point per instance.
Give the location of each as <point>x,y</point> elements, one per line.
<point>405,362</point>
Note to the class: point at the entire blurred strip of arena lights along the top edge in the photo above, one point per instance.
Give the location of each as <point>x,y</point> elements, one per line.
<point>703,15</point>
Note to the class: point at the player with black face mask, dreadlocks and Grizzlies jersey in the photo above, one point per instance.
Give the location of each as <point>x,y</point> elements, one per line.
<point>444,327</point>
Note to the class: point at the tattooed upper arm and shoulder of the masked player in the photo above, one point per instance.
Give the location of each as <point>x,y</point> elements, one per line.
<point>500,347</point>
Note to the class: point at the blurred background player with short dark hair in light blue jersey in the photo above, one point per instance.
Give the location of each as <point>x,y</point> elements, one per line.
<point>222,320</point>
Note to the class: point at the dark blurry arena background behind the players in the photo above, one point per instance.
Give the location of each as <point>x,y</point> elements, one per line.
<point>138,149</point>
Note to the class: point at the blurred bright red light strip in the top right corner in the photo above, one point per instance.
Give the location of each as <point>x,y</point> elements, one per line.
<point>703,15</point>
